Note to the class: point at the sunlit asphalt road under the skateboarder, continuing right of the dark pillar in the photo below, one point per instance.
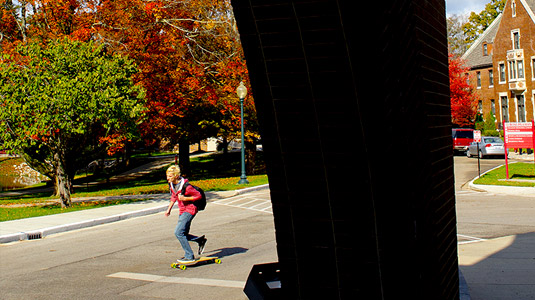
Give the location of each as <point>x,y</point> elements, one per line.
<point>131,259</point>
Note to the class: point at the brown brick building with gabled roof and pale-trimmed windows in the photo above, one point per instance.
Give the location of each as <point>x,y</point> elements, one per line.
<point>502,64</point>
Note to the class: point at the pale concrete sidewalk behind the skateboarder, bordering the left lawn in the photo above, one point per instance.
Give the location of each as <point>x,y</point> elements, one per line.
<point>40,227</point>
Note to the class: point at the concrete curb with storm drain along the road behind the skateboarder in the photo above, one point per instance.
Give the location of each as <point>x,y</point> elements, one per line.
<point>41,233</point>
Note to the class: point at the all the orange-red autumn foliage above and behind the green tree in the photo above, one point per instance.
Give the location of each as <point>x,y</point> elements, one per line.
<point>187,55</point>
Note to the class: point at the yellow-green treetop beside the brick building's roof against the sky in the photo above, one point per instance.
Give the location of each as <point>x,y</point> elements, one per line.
<point>477,23</point>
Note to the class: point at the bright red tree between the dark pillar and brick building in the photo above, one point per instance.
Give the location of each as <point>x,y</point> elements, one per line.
<point>463,97</point>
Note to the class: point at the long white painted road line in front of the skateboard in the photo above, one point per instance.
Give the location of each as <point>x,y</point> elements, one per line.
<point>178,280</point>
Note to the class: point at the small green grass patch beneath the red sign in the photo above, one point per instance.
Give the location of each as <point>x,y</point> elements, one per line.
<point>520,174</point>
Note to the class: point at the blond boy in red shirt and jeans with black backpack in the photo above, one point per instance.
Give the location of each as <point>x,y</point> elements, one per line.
<point>187,211</point>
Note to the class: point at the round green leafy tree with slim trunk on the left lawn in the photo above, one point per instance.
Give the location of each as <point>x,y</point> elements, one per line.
<point>64,103</point>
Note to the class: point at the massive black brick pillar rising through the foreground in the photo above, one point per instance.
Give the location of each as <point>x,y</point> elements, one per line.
<point>353,102</point>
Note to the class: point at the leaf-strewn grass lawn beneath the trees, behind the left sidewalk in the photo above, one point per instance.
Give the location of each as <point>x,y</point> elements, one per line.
<point>212,173</point>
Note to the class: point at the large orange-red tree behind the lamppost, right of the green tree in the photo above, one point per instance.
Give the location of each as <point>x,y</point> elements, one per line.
<point>190,61</point>
